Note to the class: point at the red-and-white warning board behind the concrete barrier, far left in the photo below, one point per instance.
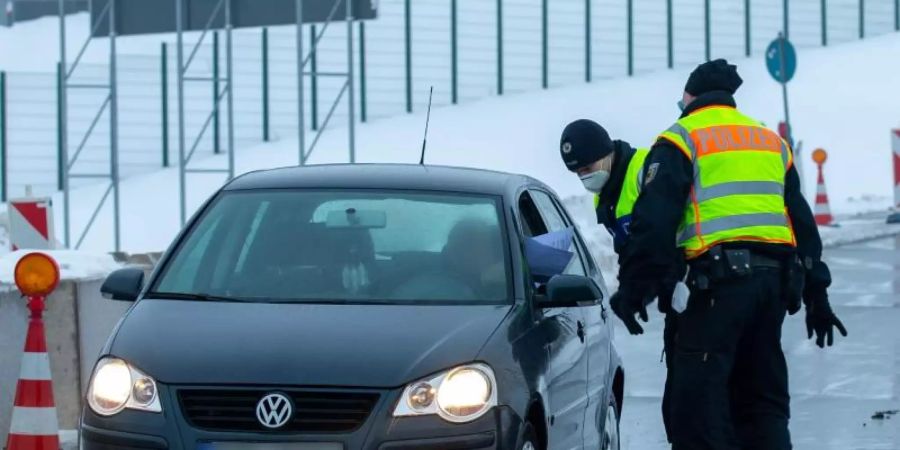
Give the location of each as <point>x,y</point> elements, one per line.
<point>31,224</point>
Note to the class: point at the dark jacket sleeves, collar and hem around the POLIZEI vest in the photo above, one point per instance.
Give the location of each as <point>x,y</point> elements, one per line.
<point>651,250</point>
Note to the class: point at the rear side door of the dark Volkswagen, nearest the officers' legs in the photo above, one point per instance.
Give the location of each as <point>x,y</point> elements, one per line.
<point>598,329</point>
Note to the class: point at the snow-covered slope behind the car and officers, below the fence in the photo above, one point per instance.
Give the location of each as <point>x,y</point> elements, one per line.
<point>520,133</point>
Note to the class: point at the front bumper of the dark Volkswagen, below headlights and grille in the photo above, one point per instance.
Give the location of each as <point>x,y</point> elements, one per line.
<point>499,429</point>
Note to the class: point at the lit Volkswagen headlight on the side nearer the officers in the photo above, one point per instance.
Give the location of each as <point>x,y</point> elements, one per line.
<point>459,395</point>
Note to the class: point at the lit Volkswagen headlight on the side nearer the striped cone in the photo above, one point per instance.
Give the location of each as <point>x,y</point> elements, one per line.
<point>116,386</point>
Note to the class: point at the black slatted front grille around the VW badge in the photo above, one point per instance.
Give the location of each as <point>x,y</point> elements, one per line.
<point>314,411</point>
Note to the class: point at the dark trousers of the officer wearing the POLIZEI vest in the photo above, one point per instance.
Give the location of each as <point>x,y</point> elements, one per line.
<point>728,385</point>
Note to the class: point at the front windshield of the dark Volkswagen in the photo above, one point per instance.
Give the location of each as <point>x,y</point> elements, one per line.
<point>342,246</point>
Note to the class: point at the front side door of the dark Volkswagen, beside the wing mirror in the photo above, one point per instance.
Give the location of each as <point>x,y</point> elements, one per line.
<point>564,331</point>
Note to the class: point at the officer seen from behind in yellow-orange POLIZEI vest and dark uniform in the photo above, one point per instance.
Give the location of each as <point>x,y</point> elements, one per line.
<point>728,188</point>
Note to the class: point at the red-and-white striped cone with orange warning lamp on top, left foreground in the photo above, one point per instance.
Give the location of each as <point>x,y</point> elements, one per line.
<point>34,424</point>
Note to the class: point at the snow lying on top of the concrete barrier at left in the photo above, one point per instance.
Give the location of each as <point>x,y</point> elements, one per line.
<point>73,265</point>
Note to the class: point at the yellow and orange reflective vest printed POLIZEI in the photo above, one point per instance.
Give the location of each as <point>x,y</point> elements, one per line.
<point>738,190</point>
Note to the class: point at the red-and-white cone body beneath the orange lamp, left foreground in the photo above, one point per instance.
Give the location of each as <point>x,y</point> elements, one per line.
<point>34,424</point>
